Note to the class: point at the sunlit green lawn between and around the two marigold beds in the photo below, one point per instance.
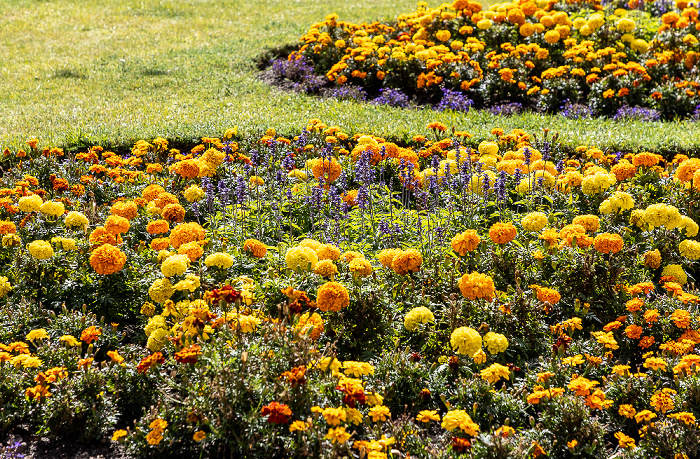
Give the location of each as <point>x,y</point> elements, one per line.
<point>110,72</point>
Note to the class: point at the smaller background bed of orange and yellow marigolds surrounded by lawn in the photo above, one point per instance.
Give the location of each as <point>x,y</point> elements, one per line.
<point>542,55</point>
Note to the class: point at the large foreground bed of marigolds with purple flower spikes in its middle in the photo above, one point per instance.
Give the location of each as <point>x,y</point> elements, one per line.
<point>328,294</point>
